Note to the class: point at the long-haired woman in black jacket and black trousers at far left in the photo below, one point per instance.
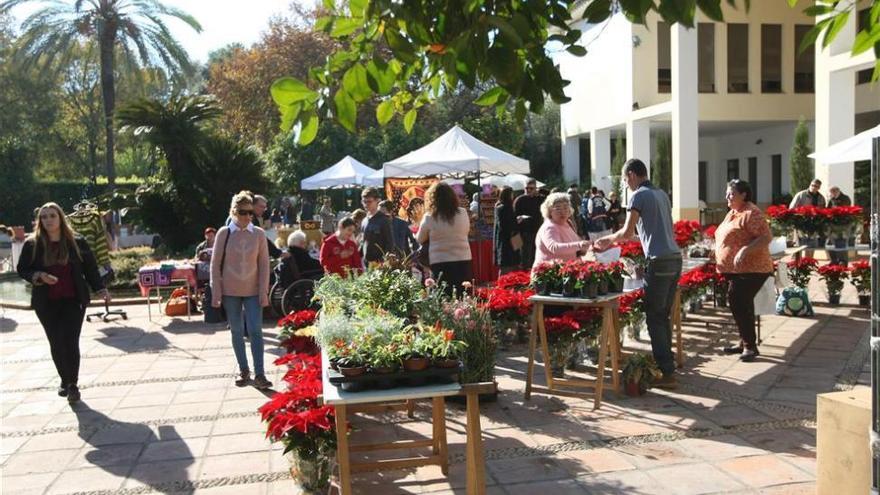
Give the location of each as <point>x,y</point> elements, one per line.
<point>61,267</point>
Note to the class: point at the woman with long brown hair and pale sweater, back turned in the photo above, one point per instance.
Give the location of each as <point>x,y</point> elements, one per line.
<point>445,227</point>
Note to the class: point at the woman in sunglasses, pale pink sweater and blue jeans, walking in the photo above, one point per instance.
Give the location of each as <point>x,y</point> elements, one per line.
<point>240,282</point>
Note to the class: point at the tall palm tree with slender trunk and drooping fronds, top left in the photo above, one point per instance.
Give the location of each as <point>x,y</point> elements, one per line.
<point>134,27</point>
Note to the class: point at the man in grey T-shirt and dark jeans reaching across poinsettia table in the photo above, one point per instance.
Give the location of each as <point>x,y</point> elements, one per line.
<point>650,213</point>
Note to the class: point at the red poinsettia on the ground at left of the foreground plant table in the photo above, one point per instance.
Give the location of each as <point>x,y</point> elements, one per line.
<point>294,416</point>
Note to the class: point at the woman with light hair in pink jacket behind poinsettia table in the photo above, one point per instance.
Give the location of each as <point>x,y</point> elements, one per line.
<point>556,239</point>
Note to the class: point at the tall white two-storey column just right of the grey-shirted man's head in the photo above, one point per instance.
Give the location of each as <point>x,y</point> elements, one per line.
<point>685,124</point>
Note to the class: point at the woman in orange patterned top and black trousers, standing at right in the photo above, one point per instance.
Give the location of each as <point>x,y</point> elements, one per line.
<point>742,254</point>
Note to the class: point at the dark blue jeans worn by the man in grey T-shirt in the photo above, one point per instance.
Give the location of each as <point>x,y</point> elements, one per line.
<point>661,280</point>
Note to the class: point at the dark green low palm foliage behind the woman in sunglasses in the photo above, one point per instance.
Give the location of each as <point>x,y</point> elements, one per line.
<point>201,170</point>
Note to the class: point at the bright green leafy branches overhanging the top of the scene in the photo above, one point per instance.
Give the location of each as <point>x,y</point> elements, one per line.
<point>410,53</point>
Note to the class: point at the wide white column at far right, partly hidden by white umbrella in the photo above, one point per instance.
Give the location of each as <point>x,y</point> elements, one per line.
<point>835,110</point>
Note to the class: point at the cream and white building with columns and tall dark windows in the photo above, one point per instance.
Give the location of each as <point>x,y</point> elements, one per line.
<point>728,96</point>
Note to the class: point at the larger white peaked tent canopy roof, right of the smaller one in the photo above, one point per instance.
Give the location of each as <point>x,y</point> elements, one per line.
<point>456,153</point>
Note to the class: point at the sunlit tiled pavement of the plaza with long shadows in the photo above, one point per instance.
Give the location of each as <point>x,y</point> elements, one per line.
<point>160,414</point>
